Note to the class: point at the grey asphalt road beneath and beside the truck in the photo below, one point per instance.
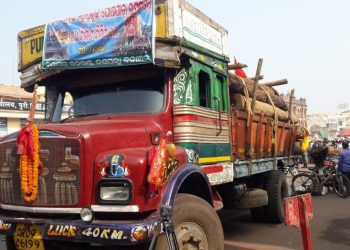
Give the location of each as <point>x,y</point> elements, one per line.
<point>330,228</point>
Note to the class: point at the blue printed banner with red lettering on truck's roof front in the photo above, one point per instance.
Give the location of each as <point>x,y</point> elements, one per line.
<point>116,36</point>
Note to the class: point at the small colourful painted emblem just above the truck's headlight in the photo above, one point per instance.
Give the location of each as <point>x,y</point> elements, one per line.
<point>114,166</point>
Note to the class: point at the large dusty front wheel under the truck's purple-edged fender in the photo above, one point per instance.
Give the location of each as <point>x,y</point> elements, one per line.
<point>196,223</point>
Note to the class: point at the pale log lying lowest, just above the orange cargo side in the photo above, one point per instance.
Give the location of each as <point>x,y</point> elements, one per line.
<point>239,102</point>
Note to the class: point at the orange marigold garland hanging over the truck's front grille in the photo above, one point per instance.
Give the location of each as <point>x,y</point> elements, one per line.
<point>29,169</point>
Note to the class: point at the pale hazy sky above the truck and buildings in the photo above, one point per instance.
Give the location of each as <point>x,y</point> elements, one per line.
<point>305,41</point>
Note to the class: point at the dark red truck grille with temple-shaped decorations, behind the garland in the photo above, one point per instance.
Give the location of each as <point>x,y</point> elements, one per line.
<point>59,179</point>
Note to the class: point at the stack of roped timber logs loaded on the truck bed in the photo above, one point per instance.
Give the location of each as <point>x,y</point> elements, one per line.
<point>241,93</point>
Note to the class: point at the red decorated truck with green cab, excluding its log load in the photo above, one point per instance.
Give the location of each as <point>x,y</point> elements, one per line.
<point>140,135</point>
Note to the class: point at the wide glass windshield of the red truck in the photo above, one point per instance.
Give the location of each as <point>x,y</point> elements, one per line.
<point>133,97</point>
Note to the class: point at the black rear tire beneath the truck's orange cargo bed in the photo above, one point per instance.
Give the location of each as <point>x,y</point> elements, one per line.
<point>277,190</point>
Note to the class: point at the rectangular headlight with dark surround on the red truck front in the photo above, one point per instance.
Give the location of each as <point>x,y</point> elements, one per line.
<point>114,191</point>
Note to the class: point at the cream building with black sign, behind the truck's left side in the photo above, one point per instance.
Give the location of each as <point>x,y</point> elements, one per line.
<point>15,104</point>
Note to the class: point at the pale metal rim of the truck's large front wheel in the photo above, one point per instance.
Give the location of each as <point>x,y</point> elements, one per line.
<point>191,236</point>
